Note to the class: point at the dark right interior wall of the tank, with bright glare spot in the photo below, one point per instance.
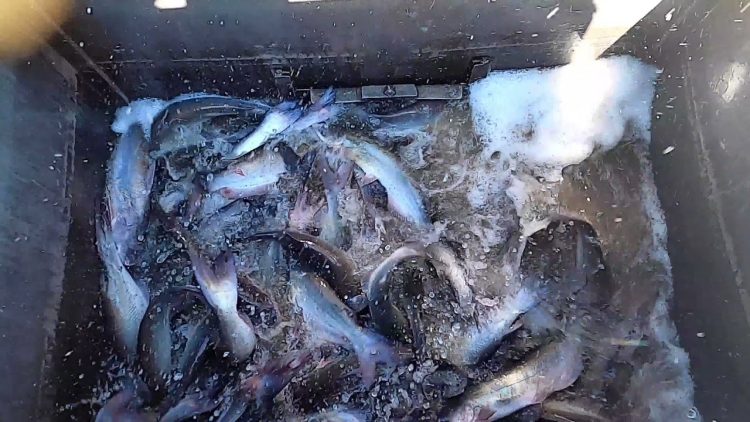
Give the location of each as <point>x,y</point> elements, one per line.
<point>703,50</point>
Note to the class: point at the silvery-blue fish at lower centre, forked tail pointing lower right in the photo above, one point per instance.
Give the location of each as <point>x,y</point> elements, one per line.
<point>329,320</point>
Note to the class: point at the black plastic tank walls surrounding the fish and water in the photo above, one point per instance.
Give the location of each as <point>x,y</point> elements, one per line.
<point>57,103</point>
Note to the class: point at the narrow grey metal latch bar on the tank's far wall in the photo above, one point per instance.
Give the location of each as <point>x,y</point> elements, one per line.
<point>380,92</point>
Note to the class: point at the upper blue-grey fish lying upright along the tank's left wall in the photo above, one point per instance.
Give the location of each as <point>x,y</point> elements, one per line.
<point>130,176</point>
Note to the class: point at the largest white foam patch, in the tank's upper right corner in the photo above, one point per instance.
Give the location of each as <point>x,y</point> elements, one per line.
<point>548,119</point>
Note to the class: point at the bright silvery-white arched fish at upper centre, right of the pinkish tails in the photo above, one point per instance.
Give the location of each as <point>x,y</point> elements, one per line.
<point>403,197</point>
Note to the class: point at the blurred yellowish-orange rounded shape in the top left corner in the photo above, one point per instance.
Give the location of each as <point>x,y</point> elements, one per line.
<point>25,25</point>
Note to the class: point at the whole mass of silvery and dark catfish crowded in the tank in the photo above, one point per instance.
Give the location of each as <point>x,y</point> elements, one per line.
<point>279,319</point>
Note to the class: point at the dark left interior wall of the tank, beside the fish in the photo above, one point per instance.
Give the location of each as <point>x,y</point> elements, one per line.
<point>37,128</point>
